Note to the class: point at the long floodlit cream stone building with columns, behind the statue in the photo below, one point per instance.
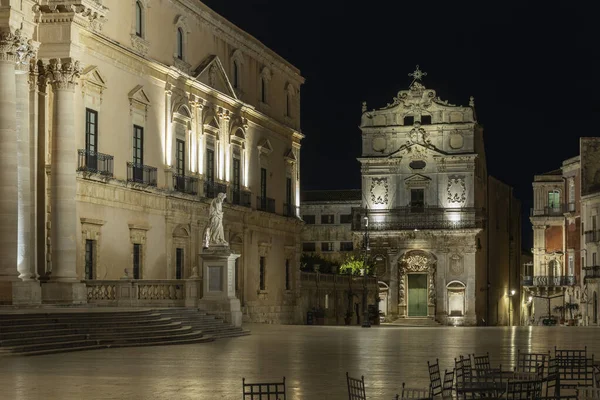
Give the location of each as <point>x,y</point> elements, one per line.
<point>120,121</point>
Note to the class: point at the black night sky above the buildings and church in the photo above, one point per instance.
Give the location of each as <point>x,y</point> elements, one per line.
<point>531,66</point>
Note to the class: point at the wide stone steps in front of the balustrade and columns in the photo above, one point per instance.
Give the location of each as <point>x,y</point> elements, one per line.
<point>61,331</point>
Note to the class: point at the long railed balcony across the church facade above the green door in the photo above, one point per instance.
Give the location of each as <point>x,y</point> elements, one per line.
<point>411,218</point>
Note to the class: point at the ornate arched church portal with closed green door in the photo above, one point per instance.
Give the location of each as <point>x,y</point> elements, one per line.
<point>416,287</point>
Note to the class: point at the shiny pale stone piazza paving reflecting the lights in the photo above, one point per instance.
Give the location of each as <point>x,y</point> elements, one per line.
<point>314,360</point>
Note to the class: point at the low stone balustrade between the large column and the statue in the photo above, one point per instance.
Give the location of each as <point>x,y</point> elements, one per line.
<point>144,293</point>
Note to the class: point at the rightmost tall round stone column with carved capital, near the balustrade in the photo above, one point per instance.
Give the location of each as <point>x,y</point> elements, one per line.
<point>64,285</point>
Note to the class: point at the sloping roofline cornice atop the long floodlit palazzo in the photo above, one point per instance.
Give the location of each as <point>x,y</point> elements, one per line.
<point>232,34</point>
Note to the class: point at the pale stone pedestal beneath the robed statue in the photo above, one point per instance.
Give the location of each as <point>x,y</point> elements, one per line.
<point>218,284</point>
